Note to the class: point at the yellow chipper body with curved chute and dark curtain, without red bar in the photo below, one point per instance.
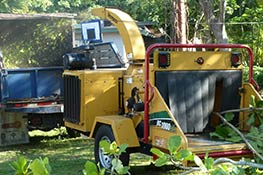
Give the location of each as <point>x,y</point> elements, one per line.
<point>104,92</point>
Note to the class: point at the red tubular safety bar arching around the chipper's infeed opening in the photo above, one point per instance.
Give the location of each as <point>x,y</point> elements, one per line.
<point>156,46</point>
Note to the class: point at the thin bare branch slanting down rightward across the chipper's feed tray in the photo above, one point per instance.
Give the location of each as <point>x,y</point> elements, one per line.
<point>239,133</point>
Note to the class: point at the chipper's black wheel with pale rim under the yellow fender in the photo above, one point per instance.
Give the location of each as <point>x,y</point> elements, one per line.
<point>105,133</point>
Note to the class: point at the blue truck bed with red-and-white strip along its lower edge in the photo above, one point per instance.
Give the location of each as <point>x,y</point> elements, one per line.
<point>32,90</point>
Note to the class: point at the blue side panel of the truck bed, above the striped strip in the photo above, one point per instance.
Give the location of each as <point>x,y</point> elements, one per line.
<point>31,84</point>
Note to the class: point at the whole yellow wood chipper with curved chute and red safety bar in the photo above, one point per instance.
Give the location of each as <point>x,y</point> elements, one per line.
<point>171,89</point>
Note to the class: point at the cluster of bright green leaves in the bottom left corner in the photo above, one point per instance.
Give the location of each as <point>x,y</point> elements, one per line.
<point>36,167</point>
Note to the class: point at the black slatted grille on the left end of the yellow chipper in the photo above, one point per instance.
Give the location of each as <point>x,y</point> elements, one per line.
<point>72,94</point>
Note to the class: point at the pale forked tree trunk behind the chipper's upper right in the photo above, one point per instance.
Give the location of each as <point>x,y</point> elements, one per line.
<point>216,24</point>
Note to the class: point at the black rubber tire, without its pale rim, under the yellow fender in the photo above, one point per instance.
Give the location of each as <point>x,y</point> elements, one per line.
<point>105,131</point>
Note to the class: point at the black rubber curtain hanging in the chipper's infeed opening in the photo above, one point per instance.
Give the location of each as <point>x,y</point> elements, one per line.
<point>190,95</point>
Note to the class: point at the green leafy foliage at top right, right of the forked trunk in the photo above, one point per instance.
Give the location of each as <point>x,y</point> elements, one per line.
<point>245,26</point>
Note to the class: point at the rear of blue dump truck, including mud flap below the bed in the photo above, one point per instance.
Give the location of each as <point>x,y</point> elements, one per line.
<point>30,98</point>
